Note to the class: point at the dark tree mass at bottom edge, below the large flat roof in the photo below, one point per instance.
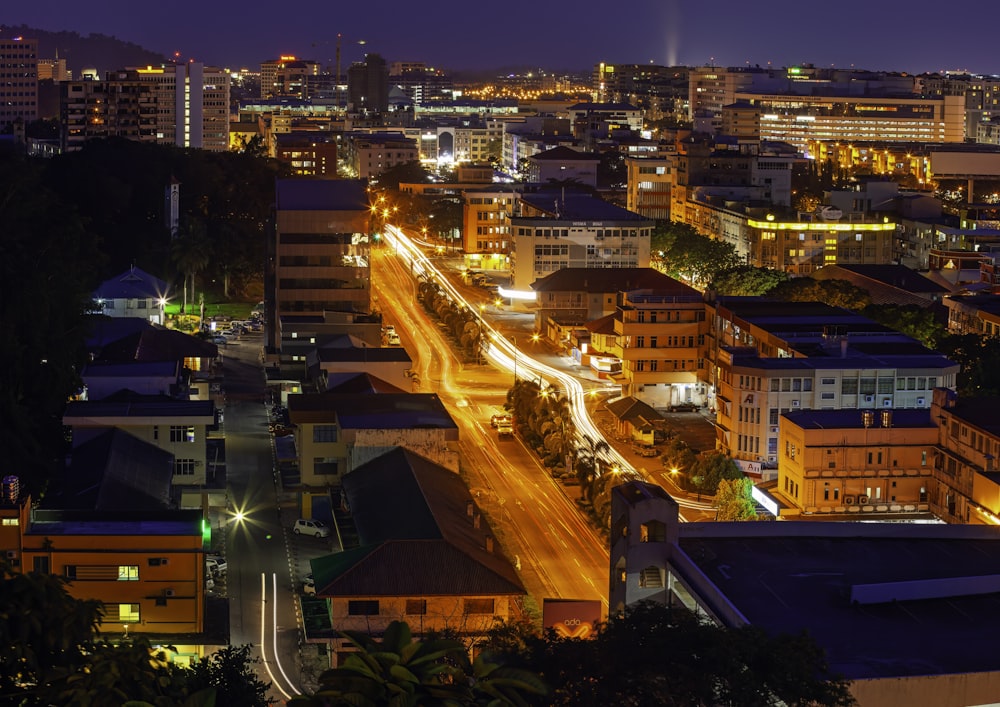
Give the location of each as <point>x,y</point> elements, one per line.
<point>658,655</point>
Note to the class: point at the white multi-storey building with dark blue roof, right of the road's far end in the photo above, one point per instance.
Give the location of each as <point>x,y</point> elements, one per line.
<point>555,229</point>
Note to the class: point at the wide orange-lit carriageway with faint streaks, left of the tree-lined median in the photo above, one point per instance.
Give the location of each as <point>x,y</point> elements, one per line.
<point>541,529</point>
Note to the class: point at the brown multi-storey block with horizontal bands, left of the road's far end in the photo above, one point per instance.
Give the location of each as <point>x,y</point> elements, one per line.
<point>321,261</point>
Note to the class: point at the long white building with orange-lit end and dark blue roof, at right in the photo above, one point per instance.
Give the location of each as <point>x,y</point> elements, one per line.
<point>771,358</point>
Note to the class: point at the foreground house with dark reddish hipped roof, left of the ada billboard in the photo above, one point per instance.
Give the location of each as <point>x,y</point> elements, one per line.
<point>425,555</point>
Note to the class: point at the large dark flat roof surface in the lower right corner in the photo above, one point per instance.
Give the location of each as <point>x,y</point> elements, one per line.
<point>799,577</point>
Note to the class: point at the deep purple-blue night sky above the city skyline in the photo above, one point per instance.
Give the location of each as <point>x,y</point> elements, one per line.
<point>915,36</point>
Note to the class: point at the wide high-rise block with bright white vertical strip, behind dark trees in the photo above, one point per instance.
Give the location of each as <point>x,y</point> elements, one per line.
<point>178,104</point>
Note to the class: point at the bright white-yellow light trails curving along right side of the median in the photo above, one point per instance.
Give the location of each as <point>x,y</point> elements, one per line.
<point>503,353</point>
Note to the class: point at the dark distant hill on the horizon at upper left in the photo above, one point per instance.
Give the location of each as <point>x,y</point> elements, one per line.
<point>95,51</point>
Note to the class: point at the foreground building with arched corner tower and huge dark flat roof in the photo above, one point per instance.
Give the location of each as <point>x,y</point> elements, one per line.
<point>877,598</point>
